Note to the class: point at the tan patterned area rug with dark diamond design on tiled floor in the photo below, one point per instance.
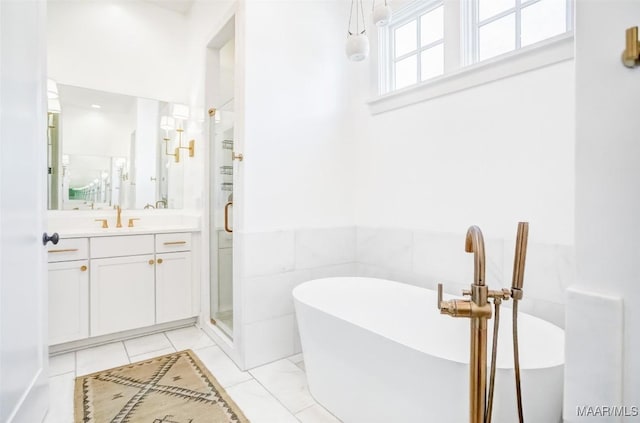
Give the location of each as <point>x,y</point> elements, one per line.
<point>175,388</point>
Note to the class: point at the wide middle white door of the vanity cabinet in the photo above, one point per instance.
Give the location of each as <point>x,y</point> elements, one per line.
<point>122,293</point>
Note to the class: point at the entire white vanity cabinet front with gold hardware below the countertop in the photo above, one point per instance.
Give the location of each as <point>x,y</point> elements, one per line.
<point>108,284</point>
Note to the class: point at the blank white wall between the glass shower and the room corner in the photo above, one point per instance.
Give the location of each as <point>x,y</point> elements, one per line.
<point>299,155</point>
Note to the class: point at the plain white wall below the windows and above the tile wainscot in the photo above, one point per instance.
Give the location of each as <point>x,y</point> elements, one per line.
<point>491,156</point>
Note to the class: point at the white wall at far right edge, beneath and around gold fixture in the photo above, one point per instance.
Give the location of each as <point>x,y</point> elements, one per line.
<point>603,354</point>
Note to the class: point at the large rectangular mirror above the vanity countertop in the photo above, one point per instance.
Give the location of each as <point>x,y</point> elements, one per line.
<point>107,150</point>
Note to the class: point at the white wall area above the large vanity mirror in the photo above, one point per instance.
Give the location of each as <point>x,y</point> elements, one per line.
<point>132,47</point>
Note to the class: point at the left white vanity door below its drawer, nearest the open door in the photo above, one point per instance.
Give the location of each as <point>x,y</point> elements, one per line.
<point>68,301</point>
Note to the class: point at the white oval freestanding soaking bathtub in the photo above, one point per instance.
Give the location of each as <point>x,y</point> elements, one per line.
<point>379,351</point>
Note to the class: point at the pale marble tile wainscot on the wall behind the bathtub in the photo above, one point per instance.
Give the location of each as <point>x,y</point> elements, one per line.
<point>273,263</point>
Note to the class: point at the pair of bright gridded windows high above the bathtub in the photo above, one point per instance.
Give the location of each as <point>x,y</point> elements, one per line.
<point>428,39</point>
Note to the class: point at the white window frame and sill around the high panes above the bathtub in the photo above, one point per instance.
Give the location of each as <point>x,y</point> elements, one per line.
<point>459,74</point>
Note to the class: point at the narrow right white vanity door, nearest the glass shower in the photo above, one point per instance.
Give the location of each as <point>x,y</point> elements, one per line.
<point>174,287</point>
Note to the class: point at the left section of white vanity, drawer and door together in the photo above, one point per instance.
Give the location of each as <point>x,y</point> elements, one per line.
<point>68,290</point>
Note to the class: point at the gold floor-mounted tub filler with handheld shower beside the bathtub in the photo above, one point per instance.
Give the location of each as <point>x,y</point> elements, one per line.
<point>478,310</point>
